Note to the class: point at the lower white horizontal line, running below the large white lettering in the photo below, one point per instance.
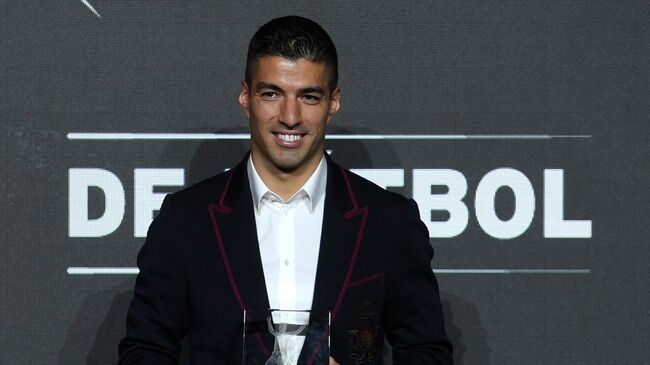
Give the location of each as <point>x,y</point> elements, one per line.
<point>135,271</point>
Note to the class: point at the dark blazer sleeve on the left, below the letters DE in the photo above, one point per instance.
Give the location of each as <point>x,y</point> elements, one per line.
<point>157,317</point>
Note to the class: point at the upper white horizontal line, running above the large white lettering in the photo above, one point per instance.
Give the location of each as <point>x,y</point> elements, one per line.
<point>234,136</point>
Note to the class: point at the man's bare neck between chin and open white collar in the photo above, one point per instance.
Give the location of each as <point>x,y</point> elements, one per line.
<point>285,183</point>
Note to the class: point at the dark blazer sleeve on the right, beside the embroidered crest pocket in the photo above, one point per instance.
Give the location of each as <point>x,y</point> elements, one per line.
<point>413,314</point>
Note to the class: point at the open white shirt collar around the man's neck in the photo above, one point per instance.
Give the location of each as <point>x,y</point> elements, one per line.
<point>313,189</point>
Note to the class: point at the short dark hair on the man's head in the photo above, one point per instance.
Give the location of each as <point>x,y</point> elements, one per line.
<point>293,37</point>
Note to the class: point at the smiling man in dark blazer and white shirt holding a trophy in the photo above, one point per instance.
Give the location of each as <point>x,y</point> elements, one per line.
<point>287,228</point>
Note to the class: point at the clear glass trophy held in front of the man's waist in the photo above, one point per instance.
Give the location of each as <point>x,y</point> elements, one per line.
<point>286,337</point>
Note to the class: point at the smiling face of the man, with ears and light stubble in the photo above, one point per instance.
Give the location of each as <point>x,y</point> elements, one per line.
<point>288,104</point>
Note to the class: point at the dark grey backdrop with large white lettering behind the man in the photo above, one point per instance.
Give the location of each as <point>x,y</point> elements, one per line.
<point>520,127</point>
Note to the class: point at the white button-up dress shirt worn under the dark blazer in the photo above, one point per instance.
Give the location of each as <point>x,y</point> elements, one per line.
<point>289,240</point>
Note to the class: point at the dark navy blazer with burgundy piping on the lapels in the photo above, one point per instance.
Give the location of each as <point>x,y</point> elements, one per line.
<point>200,268</point>
